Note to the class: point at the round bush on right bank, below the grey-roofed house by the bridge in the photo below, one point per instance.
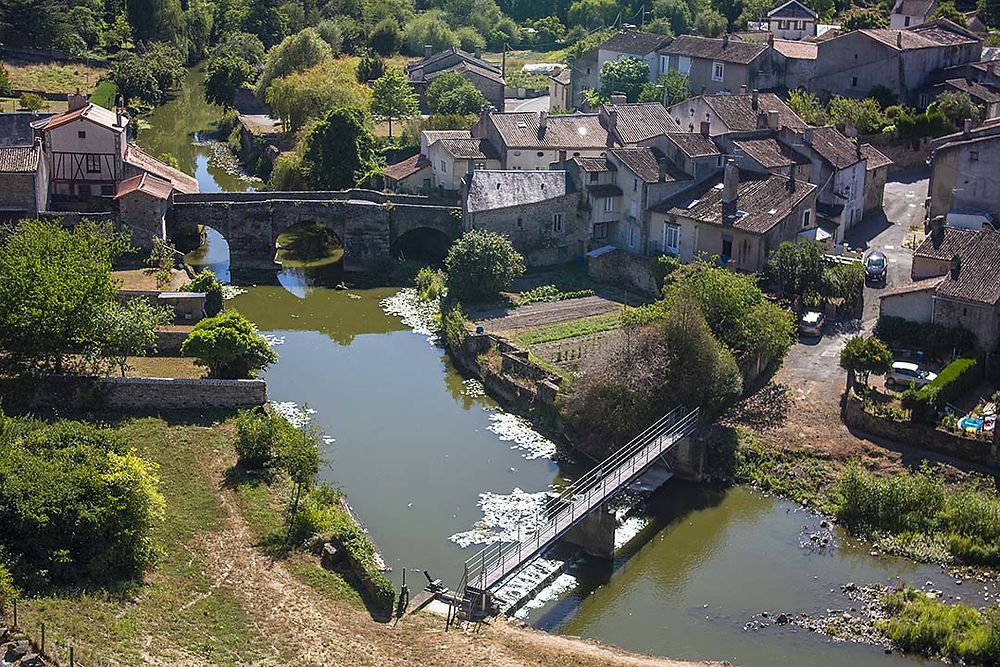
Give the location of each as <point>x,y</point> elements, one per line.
<point>481,264</point>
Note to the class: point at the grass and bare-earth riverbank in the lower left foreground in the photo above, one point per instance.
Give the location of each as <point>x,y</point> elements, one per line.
<point>216,597</point>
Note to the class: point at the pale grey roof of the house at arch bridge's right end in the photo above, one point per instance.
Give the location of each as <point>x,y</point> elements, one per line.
<point>490,190</point>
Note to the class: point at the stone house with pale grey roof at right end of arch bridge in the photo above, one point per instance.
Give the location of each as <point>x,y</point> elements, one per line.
<point>537,210</point>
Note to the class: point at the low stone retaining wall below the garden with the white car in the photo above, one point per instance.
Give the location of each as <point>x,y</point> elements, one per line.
<point>920,435</point>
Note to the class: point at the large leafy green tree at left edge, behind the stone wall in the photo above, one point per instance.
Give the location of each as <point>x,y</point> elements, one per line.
<point>54,285</point>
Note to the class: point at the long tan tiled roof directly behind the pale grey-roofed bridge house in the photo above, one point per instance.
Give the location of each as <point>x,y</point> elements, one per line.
<point>520,130</point>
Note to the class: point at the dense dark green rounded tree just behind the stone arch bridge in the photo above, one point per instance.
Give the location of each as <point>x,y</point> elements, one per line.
<point>341,150</point>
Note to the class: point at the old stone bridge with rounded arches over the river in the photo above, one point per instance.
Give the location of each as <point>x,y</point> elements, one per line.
<point>369,224</point>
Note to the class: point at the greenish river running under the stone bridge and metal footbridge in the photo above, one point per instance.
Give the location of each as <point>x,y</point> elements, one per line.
<point>429,464</point>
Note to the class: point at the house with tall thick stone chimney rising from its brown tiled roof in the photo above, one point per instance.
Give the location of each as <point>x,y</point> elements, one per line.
<point>738,217</point>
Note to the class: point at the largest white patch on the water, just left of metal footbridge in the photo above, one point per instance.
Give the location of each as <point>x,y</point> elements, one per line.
<point>505,517</point>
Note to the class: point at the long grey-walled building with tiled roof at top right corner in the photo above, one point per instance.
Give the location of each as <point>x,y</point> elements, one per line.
<point>904,61</point>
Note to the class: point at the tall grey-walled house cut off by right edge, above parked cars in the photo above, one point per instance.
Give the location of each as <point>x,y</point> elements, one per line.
<point>964,168</point>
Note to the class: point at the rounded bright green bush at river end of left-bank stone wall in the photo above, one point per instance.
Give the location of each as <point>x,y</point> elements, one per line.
<point>229,346</point>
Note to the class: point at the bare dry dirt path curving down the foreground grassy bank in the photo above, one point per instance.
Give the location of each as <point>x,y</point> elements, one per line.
<point>297,625</point>
